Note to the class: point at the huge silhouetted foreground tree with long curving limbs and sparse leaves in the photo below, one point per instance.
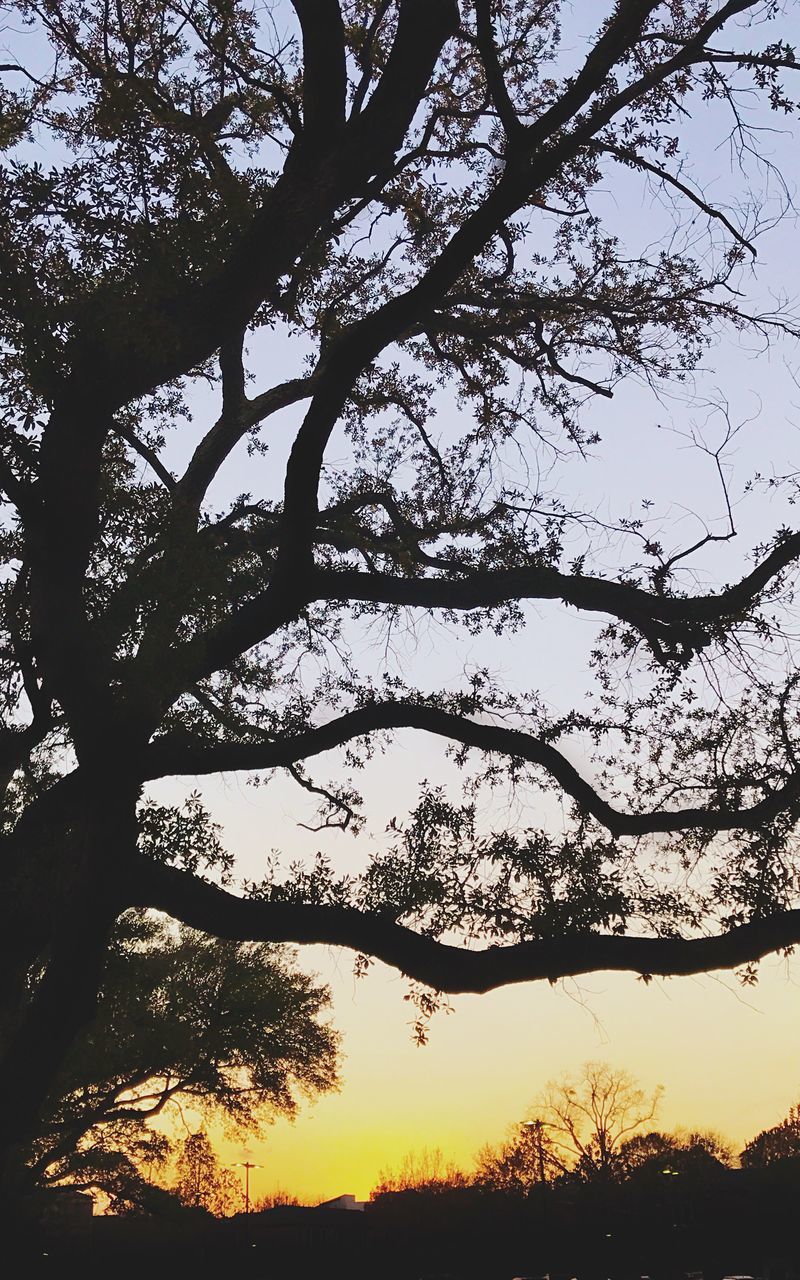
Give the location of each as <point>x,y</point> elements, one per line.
<point>401,202</point>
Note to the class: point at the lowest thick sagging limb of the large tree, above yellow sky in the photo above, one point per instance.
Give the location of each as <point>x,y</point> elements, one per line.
<point>449,968</point>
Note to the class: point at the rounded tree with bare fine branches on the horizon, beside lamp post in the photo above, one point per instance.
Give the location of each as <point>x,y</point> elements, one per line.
<point>582,1128</point>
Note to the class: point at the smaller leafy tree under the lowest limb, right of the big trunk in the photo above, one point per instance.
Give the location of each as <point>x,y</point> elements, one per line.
<point>232,1030</point>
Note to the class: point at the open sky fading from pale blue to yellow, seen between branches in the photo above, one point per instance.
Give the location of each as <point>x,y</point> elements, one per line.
<point>729,1057</point>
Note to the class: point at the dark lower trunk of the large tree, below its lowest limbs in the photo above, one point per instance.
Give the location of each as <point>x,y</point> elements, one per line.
<point>61,897</point>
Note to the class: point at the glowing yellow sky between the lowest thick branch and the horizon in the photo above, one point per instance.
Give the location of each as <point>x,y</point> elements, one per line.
<point>729,1059</point>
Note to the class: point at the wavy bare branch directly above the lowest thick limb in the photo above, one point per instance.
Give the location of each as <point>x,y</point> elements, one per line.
<point>176,755</point>
